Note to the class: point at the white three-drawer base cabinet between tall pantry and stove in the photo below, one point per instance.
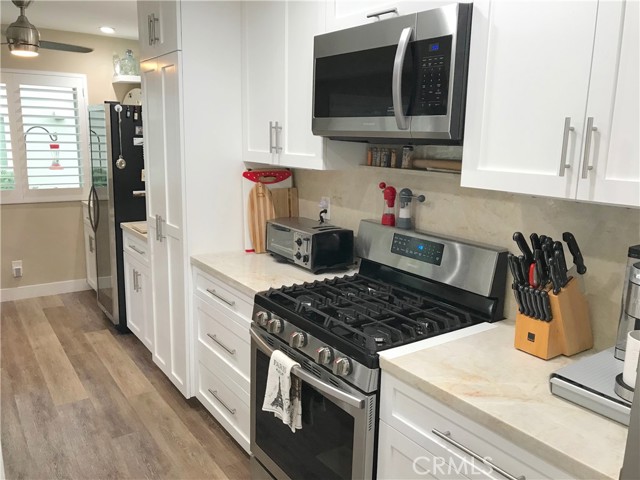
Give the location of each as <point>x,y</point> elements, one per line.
<point>222,353</point>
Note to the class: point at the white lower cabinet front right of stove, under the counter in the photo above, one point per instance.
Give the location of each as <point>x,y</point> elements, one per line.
<point>419,437</point>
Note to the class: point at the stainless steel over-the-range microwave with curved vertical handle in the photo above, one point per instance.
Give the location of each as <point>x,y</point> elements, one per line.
<point>399,80</point>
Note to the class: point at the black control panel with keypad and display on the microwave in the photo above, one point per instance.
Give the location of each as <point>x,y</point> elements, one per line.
<point>433,64</point>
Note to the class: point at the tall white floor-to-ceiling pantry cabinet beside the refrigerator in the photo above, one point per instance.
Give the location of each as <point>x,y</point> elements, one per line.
<point>193,166</point>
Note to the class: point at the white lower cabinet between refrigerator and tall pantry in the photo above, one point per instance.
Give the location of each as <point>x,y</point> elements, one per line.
<point>137,283</point>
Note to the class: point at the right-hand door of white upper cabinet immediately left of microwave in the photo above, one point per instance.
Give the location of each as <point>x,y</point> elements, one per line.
<point>300,148</point>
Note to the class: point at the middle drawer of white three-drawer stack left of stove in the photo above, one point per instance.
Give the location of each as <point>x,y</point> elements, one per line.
<point>222,337</point>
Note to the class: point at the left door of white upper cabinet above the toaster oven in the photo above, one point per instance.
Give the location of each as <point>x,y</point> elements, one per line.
<point>263,77</point>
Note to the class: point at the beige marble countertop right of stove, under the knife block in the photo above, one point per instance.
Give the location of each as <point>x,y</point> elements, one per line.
<point>486,379</point>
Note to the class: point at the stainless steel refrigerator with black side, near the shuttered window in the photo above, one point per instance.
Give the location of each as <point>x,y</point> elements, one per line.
<point>117,195</point>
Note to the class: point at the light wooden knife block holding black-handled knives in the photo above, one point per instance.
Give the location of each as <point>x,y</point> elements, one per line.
<point>568,333</point>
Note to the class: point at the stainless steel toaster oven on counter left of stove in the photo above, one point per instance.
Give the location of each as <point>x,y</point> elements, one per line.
<point>310,243</point>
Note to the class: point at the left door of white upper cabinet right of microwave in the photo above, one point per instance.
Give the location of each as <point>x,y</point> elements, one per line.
<point>524,83</point>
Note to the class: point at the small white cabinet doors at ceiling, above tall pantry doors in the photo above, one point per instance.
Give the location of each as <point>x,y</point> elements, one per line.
<point>158,27</point>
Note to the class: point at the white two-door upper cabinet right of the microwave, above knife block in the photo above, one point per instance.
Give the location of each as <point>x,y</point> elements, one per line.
<point>535,93</point>
